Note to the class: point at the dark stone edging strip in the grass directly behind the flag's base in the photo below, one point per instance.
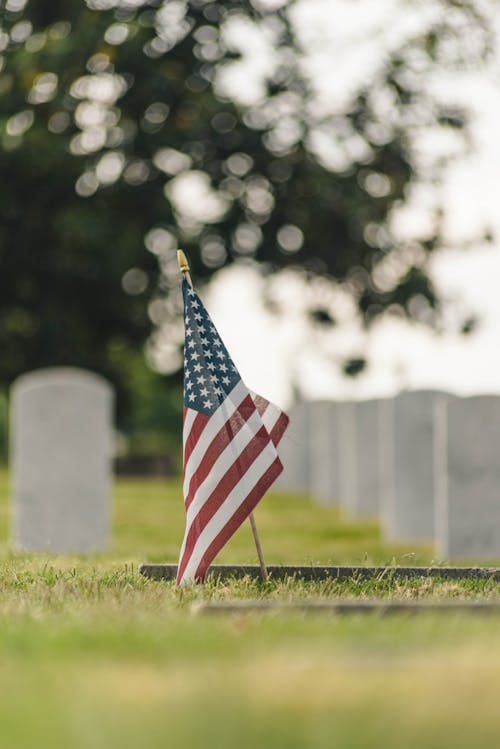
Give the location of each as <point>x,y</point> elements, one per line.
<point>314,573</point>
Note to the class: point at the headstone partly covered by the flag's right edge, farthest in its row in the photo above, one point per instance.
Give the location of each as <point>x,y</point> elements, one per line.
<point>294,452</point>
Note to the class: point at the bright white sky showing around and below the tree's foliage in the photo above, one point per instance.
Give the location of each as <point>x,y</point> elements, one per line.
<point>342,40</point>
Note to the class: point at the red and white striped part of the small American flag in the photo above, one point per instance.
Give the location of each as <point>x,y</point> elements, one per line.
<point>230,461</point>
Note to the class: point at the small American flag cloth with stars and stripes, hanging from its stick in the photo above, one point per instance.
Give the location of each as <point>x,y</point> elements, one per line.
<point>229,437</point>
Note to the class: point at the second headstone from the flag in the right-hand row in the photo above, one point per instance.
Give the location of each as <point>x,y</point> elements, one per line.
<point>323,452</point>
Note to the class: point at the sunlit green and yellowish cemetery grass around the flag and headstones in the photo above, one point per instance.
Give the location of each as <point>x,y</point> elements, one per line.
<point>94,655</point>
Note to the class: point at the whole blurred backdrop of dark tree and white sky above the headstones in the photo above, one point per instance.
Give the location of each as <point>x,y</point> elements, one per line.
<point>329,167</point>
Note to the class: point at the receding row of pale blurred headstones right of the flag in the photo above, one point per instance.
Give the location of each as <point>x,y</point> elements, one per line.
<point>425,463</point>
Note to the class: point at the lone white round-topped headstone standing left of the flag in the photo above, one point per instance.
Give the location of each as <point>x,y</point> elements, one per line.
<point>61,450</point>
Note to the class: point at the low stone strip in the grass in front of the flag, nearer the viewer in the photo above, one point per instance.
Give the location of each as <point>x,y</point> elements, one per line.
<point>369,606</point>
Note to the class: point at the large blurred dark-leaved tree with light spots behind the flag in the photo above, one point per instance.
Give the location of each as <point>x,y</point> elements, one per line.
<point>116,134</point>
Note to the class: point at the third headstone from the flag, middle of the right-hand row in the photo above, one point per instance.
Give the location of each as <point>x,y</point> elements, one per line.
<point>368,438</point>
